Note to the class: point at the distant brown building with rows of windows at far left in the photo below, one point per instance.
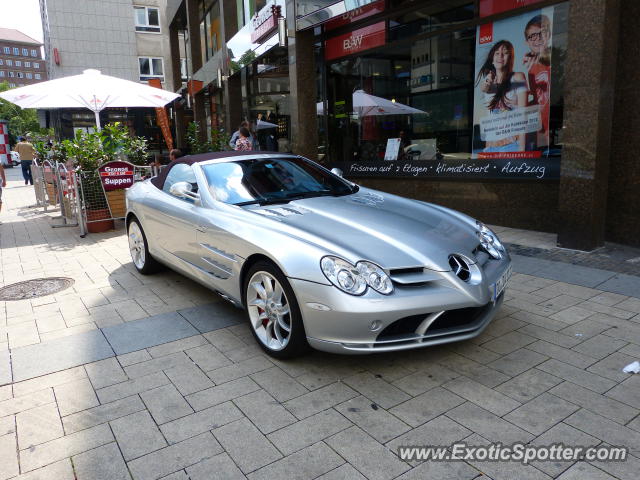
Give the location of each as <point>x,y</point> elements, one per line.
<point>21,61</point>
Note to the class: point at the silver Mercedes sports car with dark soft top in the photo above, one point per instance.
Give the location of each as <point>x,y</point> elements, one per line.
<point>315,259</point>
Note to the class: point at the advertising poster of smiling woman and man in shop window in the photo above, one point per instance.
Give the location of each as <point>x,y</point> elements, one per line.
<point>513,69</point>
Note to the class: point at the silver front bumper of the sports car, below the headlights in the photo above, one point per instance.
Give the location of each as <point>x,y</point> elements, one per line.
<point>340,323</point>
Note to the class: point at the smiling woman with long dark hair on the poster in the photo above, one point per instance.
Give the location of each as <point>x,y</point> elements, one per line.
<point>504,90</point>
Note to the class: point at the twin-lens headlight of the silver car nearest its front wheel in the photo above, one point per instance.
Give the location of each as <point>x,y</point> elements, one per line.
<point>354,279</point>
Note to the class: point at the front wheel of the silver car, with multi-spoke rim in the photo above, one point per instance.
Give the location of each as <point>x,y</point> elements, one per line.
<point>273,311</point>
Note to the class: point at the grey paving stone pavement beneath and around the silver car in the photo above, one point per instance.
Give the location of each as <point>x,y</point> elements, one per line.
<point>125,376</point>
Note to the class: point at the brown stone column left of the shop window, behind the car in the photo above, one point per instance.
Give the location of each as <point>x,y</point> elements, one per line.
<point>302,88</point>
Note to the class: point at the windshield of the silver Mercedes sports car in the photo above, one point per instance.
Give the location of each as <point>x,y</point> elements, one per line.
<point>272,180</point>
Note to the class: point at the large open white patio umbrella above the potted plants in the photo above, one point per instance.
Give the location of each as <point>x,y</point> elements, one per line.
<point>90,90</point>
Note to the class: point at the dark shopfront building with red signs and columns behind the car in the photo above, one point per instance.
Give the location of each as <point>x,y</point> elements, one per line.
<point>518,112</point>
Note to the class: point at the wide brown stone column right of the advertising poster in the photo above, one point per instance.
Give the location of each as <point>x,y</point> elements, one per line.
<point>590,73</point>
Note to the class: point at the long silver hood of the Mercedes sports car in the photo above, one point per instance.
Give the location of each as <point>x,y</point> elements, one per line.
<point>392,231</point>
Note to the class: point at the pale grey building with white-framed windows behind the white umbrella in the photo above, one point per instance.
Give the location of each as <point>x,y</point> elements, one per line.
<point>125,39</point>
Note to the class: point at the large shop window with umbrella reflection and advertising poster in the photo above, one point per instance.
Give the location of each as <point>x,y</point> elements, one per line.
<point>425,93</point>
